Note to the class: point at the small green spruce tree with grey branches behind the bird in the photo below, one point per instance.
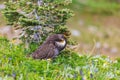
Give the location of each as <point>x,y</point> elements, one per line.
<point>37,18</point>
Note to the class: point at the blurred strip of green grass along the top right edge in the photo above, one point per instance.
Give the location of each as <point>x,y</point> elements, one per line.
<point>96,6</point>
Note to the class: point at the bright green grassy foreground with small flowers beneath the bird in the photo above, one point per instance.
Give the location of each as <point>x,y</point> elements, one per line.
<point>67,66</point>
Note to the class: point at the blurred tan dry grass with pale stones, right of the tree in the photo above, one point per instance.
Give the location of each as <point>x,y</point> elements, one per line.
<point>96,28</point>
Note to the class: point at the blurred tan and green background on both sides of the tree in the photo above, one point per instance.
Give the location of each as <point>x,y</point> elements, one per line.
<point>95,26</point>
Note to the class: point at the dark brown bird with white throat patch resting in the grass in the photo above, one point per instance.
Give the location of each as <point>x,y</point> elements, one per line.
<point>51,48</point>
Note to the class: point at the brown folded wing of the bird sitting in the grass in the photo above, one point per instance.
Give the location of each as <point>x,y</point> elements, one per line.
<point>45,51</point>
